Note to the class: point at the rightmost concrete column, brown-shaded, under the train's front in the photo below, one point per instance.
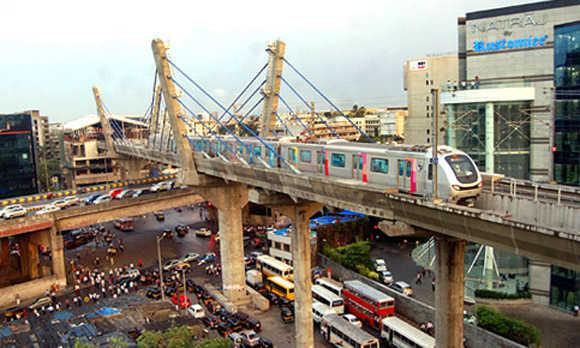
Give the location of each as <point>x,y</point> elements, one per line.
<point>449,292</point>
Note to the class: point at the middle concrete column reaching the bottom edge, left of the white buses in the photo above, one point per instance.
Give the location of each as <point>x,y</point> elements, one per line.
<point>301,256</point>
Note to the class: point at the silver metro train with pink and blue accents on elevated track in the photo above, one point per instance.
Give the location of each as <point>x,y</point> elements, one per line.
<point>404,167</point>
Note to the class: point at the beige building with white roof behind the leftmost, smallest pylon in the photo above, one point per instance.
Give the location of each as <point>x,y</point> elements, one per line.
<point>87,160</point>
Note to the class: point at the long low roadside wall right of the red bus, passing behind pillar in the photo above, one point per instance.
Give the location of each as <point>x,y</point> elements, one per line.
<point>417,311</point>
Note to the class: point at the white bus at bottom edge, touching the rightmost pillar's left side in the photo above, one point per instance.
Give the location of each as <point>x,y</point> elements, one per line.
<point>399,333</point>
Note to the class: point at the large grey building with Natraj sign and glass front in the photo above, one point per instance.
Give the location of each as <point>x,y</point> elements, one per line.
<point>501,111</point>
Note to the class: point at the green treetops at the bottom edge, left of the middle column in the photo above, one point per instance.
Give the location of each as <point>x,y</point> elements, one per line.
<point>179,337</point>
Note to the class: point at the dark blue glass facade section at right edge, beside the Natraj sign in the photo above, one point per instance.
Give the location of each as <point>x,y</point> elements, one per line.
<point>567,104</point>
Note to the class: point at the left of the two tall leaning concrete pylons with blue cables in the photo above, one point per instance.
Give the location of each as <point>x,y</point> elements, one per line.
<point>188,173</point>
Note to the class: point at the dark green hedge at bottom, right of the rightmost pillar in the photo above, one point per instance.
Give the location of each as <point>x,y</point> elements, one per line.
<point>515,330</point>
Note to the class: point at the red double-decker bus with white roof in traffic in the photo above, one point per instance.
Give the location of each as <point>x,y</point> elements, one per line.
<point>367,303</point>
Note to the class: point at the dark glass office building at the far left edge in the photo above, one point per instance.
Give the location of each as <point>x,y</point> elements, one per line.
<point>17,156</point>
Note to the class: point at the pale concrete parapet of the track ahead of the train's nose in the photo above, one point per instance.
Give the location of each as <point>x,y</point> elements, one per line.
<point>526,210</point>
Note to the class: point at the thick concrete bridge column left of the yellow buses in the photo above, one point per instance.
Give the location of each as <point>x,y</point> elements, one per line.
<point>230,200</point>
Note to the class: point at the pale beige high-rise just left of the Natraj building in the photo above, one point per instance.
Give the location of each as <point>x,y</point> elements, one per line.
<point>421,76</point>
